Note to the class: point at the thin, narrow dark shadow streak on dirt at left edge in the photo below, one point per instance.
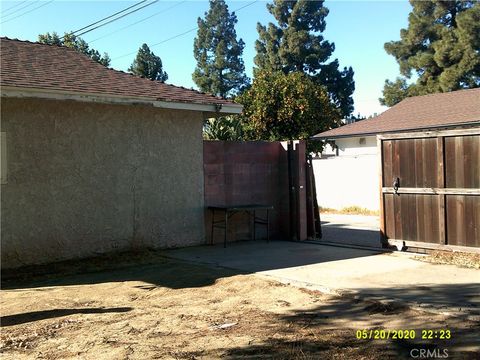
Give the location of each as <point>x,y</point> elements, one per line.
<point>23,318</point>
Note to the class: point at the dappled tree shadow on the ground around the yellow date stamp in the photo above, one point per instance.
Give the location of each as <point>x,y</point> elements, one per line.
<point>329,331</point>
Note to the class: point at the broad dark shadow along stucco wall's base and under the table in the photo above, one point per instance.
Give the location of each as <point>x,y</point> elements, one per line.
<point>156,268</point>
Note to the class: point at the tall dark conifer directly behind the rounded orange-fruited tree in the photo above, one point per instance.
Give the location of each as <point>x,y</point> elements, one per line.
<point>297,44</point>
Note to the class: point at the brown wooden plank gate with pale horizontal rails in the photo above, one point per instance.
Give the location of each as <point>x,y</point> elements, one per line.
<point>430,189</point>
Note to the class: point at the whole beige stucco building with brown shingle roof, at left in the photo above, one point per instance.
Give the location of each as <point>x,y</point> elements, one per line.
<point>96,160</point>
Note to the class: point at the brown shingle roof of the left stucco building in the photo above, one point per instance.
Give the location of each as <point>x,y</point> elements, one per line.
<point>32,65</point>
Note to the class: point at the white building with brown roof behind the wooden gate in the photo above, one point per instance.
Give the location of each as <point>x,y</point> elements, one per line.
<point>348,174</point>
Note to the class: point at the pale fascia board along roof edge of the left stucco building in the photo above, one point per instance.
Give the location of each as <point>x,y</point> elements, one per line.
<point>17,92</point>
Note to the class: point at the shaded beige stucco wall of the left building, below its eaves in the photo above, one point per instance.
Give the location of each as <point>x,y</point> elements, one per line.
<point>85,179</point>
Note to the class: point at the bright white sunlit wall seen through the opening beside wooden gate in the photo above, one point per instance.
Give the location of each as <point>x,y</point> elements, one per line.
<point>351,178</point>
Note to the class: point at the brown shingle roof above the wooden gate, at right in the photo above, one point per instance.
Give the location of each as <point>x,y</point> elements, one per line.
<point>419,112</point>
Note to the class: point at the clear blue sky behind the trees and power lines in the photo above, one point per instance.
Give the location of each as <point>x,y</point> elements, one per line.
<point>358,29</point>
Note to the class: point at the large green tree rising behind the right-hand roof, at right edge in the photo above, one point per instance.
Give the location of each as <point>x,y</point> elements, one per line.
<point>441,47</point>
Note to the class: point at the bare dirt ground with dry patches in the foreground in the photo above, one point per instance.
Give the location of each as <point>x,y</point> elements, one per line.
<point>166,309</point>
